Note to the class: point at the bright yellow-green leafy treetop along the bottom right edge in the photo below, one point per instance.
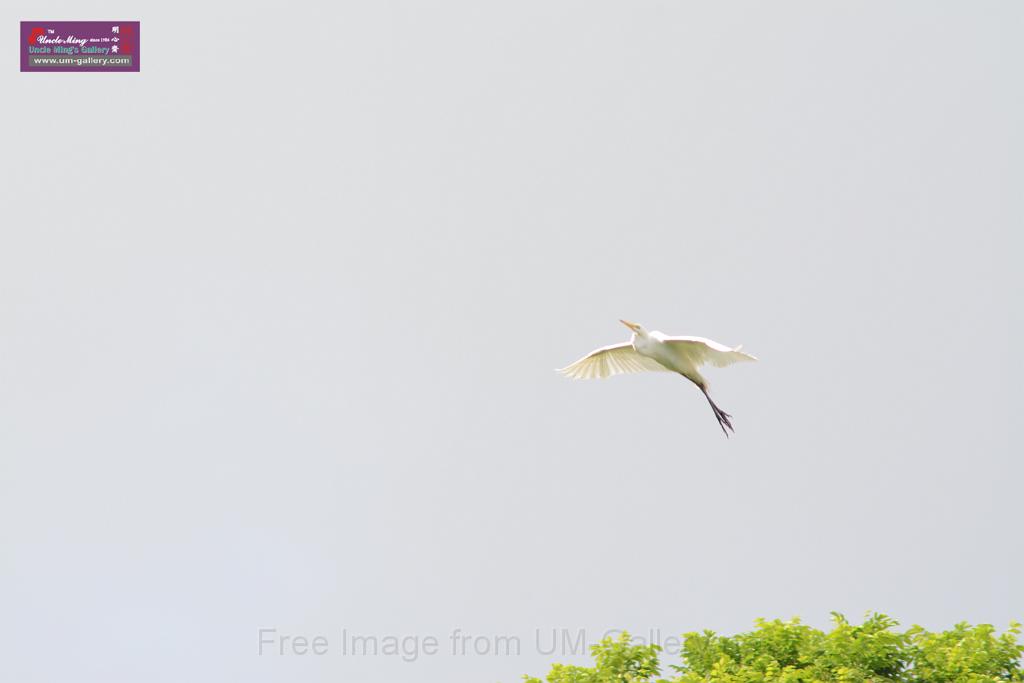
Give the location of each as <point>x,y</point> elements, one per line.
<point>779,652</point>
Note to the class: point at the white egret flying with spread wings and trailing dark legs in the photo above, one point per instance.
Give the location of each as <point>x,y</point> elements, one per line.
<point>658,352</point>
